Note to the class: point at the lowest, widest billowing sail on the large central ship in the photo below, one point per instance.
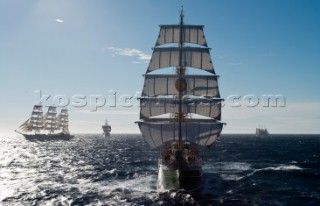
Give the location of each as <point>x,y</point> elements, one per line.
<point>197,131</point>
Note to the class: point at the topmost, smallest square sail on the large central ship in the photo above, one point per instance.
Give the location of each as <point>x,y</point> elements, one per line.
<point>191,34</point>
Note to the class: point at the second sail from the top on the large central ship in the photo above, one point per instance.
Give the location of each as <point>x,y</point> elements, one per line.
<point>191,57</point>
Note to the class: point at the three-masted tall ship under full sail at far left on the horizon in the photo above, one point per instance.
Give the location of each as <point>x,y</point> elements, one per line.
<point>48,126</point>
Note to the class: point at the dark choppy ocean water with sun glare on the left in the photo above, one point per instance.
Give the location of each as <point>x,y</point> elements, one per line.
<point>122,170</point>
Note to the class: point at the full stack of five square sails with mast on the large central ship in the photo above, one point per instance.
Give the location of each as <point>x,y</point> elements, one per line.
<point>183,106</point>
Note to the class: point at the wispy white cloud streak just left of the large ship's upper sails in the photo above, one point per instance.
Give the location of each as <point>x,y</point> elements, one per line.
<point>142,57</point>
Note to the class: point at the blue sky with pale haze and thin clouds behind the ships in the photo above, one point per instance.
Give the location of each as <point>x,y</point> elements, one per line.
<point>60,51</point>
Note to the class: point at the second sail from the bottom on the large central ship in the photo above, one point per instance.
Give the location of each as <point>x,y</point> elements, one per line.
<point>158,106</point>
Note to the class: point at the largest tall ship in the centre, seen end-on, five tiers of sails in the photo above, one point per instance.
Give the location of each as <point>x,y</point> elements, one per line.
<point>180,104</point>
